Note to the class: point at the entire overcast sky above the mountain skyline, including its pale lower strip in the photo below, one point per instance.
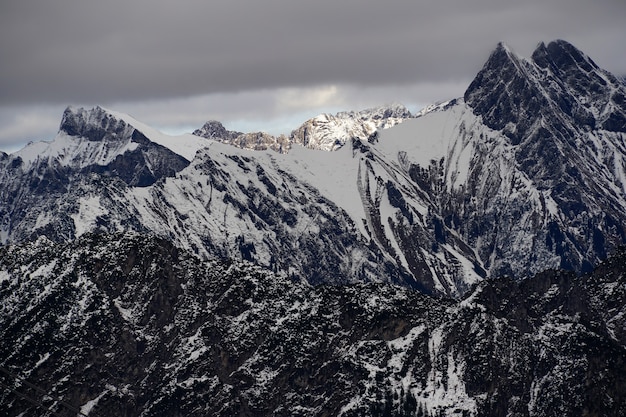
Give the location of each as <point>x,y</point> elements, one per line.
<point>271,64</point>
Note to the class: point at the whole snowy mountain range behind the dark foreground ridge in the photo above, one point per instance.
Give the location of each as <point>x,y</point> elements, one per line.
<point>526,172</point>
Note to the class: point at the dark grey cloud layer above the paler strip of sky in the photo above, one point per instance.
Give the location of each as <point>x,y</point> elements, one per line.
<point>118,50</point>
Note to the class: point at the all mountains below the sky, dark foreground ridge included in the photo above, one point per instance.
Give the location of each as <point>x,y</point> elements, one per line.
<point>462,261</point>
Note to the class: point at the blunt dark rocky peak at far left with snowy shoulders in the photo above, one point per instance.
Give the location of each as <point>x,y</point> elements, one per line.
<point>102,141</point>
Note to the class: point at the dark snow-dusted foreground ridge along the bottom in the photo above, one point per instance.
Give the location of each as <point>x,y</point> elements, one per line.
<point>130,325</point>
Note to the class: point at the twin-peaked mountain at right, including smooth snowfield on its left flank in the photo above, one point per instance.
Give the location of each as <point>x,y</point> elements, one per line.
<point>528,170</point>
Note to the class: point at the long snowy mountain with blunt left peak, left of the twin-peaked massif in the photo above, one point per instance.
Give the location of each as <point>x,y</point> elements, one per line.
<point>310,213</point>
